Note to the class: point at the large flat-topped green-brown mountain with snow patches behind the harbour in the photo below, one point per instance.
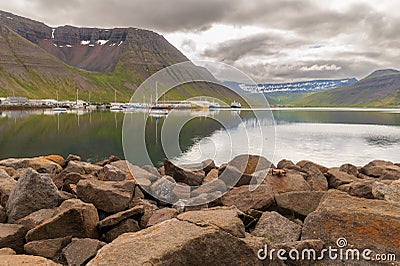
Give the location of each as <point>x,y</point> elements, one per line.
<point>37,60</point>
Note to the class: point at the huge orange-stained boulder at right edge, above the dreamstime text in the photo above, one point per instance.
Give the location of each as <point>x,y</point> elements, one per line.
<point>364,223</point>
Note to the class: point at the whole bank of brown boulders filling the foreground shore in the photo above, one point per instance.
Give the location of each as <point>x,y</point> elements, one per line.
<point>65,211</point>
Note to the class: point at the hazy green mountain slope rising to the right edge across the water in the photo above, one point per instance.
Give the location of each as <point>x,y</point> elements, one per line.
<point>379,89</point>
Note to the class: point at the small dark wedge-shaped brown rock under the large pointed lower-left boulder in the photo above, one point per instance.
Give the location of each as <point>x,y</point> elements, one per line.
<point>48,248</point>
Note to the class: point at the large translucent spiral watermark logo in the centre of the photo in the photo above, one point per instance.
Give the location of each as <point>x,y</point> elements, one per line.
<point>167,119</point>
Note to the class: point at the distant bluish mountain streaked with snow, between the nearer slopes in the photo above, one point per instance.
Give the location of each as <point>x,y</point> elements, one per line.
<point>285,93</point>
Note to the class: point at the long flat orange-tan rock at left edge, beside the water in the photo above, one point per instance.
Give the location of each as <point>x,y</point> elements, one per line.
<point>40,164</point>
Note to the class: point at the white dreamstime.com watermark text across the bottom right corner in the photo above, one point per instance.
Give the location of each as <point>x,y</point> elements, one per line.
<point>340,252</point>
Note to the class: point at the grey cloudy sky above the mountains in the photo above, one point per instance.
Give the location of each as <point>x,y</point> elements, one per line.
<point>272,41</point>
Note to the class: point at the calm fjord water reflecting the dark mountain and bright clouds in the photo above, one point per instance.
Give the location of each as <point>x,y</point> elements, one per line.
<point>330,137</point>
